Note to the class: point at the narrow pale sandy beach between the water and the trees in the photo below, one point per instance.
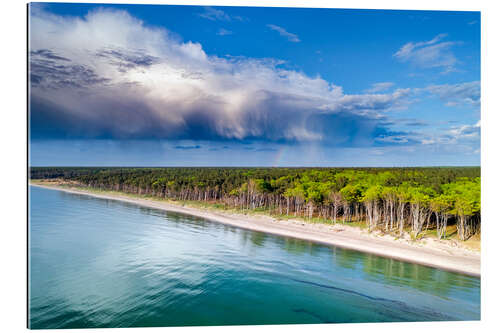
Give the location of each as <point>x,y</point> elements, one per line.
<point>430,252</point>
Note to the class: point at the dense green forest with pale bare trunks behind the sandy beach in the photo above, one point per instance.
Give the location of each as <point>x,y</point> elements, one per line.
<point>389,199</point>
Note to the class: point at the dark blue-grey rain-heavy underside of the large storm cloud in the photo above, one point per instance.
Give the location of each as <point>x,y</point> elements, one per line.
<point>270,120</point>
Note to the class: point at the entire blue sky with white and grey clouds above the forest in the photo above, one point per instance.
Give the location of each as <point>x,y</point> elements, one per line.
<point>162,85</point>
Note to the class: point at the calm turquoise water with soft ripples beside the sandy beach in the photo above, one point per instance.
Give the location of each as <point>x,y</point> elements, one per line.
<point>104,263</point>
